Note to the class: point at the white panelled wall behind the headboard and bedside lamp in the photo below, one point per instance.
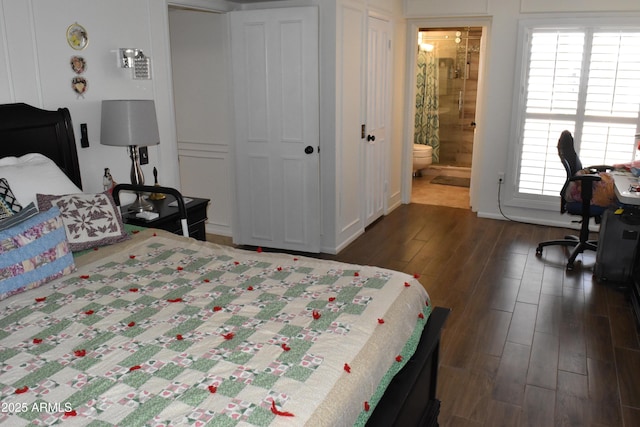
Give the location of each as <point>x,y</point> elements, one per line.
<point>35,70</point>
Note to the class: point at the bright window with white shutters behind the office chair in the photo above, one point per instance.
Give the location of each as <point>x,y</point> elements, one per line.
<point>585,80</point>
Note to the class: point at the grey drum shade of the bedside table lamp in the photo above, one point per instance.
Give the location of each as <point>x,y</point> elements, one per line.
<point>129,122</point>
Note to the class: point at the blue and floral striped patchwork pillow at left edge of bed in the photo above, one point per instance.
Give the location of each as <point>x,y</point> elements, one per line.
<point>33,252</point>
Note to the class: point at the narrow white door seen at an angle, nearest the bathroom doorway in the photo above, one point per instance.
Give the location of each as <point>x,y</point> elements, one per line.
<point>375,142</point>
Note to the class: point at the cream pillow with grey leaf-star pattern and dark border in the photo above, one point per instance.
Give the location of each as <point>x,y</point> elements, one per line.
<point>91,220</point>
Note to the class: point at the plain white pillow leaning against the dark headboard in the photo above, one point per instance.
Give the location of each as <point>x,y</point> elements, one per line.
<point>34,173</point>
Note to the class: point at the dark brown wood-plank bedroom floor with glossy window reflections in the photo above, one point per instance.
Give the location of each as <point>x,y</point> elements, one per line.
<point>527,343</point>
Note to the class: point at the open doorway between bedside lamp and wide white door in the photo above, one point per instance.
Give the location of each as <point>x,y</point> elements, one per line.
<point>201,92</point>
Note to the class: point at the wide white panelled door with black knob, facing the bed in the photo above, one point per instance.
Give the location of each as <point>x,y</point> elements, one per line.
<point>275,84</point>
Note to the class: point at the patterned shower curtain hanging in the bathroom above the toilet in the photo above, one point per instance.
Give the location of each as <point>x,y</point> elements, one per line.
<point>426,121</point>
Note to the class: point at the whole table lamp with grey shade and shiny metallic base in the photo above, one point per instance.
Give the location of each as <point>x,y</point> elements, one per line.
<point>131,123</point>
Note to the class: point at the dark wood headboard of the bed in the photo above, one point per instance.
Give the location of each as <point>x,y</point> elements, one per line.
<point>26,129</point>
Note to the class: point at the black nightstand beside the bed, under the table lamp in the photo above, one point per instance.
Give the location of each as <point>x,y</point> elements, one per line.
<point>169,218</point>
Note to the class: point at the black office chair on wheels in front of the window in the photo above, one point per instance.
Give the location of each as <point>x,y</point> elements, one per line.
<point>584,209</point>
